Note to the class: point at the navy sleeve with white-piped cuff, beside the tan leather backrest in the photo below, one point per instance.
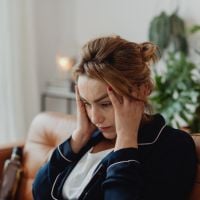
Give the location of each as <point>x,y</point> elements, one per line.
<point>62,157</point>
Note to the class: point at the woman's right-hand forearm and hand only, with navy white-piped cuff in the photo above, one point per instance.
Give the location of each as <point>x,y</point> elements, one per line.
<point>123,177</point>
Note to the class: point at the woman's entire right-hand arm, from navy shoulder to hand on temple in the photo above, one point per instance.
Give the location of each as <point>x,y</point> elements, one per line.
<point>170,169</point>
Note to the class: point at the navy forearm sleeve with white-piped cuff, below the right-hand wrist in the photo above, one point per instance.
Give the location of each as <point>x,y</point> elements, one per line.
<point>123,179</point>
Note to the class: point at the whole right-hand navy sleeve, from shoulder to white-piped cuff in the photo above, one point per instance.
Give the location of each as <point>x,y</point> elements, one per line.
<point>167,173</point>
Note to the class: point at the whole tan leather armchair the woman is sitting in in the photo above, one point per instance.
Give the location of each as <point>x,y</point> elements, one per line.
<point>46,132</point>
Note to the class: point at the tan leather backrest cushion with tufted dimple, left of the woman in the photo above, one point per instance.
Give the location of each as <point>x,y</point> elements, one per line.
<point>46,132</point>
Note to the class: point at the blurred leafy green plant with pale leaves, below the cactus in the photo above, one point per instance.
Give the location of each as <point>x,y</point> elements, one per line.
<point>176,95</point>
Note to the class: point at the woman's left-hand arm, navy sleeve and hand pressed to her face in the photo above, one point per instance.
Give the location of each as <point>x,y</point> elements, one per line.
<point>65,154</point>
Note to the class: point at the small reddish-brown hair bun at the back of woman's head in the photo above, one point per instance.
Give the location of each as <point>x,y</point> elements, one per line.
<point>149,52</point>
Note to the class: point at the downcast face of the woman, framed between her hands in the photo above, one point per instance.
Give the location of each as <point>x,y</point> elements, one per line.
<point>99,109</point>
